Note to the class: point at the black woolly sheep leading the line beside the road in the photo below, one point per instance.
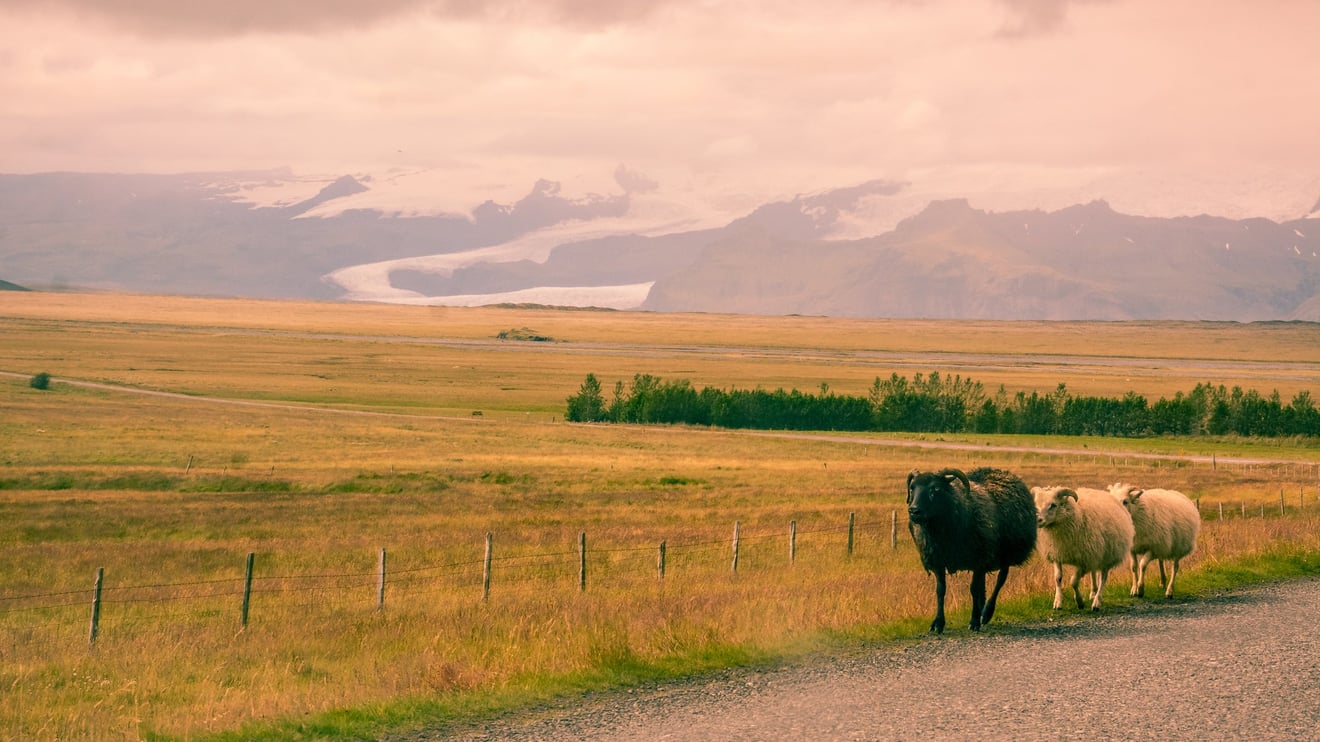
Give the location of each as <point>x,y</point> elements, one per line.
<point>980,522</point>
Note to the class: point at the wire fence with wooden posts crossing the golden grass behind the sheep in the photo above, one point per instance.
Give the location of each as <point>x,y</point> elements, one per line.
<point>477,578</point>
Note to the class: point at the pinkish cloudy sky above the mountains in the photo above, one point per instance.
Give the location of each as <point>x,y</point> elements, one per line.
<point>732,102</point>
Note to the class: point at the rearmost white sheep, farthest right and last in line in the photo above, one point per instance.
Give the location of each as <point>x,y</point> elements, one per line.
<point>1168,523</point>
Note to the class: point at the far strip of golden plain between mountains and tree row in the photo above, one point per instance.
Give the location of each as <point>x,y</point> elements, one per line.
<point>389,353</point>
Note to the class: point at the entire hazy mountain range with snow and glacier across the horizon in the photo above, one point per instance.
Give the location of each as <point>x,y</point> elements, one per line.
<point>277,236</point>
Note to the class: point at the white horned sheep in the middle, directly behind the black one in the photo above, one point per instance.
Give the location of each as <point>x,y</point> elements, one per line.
<point>1086,529</point>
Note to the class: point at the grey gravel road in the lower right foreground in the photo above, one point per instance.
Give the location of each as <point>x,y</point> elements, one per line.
<point>1244,665</point>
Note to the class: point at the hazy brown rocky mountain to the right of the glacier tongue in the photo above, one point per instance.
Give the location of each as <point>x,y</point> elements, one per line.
<point>956,262</point>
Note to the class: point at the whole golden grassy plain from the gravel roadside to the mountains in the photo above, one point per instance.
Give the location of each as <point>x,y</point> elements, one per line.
<point>431,543</point>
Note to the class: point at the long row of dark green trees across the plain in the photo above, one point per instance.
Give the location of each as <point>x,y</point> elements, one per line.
<point>950,405</point>
